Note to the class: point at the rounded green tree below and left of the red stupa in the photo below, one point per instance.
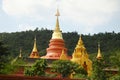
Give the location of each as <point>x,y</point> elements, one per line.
<point>38,68</point>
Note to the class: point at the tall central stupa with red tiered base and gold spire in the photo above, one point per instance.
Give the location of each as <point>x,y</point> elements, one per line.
<point>56,44</point>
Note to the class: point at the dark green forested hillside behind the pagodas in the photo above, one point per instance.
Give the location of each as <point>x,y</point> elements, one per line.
<point>24,40</point>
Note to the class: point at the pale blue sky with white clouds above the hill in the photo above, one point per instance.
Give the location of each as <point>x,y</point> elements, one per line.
<point>83,16</point>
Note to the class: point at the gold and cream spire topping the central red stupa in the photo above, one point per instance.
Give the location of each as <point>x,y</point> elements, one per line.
<point>57,32</point>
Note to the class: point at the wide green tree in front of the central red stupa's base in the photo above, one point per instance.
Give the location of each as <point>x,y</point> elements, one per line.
<point>65,67</point>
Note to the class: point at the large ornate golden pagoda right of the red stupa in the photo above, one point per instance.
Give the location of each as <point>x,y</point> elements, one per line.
<point>80,56</point>
